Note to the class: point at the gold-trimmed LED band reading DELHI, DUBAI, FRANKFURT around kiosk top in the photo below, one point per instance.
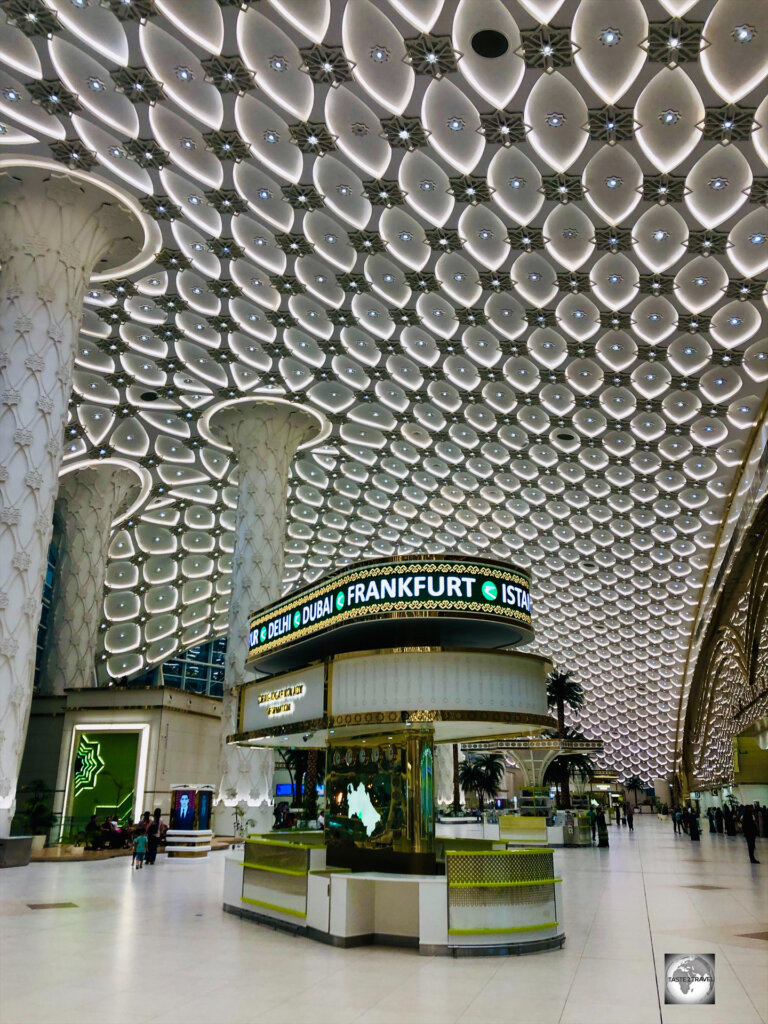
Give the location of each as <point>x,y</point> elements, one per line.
<point>447,587</point>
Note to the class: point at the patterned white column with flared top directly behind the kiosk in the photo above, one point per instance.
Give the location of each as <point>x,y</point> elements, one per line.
<point>265,436</point>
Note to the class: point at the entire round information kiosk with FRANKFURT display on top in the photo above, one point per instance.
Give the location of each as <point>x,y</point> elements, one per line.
<point>379,665</point>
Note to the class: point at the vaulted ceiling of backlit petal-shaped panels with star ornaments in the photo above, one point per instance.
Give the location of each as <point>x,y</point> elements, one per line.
<point>516,252</point>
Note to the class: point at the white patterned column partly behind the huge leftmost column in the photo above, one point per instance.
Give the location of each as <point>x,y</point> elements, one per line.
<point>90,499</point>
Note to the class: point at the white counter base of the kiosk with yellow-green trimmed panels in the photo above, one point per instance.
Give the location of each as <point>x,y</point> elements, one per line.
<point>489,903</point>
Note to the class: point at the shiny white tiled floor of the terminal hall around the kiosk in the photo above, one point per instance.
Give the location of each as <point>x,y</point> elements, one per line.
<point>154,946</point>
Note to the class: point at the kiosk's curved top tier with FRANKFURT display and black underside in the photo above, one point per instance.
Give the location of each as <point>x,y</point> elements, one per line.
<point>458,602</point>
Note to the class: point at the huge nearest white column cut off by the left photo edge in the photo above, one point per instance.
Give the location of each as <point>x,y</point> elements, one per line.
<point>55,230</point>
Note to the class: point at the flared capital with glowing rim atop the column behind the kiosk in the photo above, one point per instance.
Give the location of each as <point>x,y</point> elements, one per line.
<point>222,423</point>
